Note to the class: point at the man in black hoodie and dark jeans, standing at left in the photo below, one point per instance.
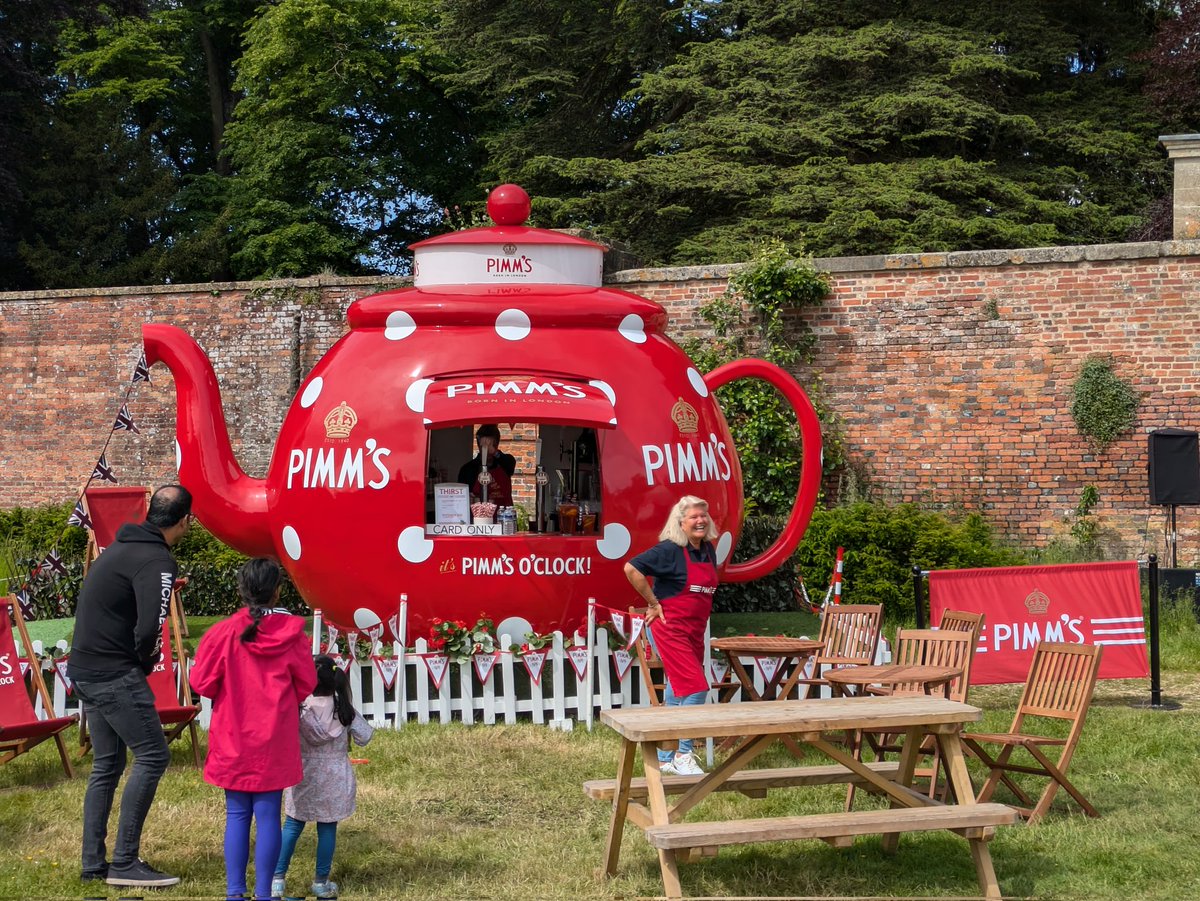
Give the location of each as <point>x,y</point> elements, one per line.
<point>118,638</point>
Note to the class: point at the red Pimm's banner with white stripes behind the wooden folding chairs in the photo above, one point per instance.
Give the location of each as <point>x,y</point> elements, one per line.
<point>1084,604</point>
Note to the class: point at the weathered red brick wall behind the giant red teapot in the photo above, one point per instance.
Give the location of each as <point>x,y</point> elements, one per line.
<point>951,375</point>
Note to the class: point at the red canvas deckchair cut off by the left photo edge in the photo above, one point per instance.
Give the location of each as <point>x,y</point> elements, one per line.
<point>21,729</point>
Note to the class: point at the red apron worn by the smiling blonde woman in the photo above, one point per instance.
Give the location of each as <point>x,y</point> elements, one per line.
<point>680,639</point>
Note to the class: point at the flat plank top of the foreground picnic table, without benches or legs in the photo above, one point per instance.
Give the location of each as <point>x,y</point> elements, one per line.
<point>895,714</point>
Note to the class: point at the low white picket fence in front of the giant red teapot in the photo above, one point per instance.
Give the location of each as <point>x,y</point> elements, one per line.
<point>560,700</point>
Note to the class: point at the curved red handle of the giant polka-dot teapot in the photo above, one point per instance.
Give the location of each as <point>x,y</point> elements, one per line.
<point>811,467</point>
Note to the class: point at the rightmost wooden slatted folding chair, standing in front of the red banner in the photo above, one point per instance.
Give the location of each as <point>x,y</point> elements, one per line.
<point>1060,687</point>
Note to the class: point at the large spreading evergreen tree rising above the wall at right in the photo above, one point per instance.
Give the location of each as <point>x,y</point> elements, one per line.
<point>868,128</point>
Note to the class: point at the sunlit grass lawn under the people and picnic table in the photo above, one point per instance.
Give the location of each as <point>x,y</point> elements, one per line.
<point>499,813</point>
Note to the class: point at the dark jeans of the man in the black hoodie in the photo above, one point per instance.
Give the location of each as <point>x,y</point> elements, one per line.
<point>121,716</point>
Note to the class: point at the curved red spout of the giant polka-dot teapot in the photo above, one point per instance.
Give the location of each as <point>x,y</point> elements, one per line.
<point>230,503</point>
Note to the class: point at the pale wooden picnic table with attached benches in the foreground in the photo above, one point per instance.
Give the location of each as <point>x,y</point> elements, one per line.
<point>644,801</point>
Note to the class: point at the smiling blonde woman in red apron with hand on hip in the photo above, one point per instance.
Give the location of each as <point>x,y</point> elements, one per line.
<point>683,567</point>
